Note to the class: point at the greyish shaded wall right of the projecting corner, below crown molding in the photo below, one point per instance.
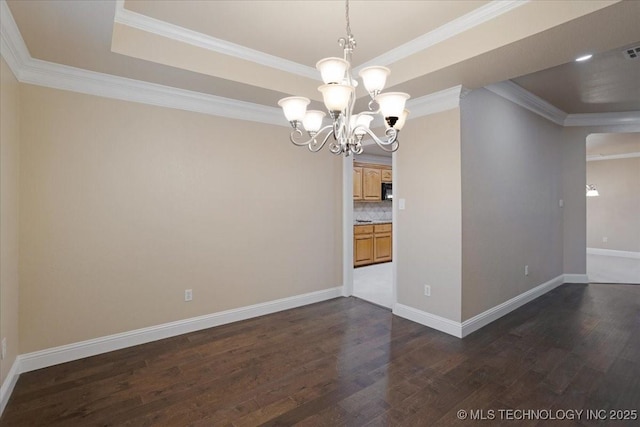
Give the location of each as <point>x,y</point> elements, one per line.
<point>511,187</point>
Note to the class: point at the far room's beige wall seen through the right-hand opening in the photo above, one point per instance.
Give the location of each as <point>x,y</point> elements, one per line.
<point>614,214</point>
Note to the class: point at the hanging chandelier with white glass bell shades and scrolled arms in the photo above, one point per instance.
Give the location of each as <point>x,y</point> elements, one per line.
<point>339,96</point>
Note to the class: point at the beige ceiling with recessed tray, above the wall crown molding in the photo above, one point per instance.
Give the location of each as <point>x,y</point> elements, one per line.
<point>261,51</point>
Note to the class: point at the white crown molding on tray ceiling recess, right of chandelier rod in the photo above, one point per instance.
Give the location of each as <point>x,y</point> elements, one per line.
<point>450,29</point>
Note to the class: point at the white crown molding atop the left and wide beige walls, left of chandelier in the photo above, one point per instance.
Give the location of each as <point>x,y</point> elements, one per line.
<point>43,73</point>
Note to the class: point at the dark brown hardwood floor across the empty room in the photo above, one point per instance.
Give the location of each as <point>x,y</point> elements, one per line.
<point>348,362</point>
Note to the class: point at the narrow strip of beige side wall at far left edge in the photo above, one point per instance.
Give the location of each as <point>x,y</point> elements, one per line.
<point>9,171</point>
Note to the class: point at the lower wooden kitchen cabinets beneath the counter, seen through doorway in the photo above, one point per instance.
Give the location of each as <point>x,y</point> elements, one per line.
<point>371,244</point>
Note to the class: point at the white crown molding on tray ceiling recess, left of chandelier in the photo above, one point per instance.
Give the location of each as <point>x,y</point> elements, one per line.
<point>164,29</point>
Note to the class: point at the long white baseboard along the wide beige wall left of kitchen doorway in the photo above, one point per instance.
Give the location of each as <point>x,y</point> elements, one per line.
<point>66,353</point>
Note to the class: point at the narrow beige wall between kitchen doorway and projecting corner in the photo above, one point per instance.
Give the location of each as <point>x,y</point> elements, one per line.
<point>429,229</point>
